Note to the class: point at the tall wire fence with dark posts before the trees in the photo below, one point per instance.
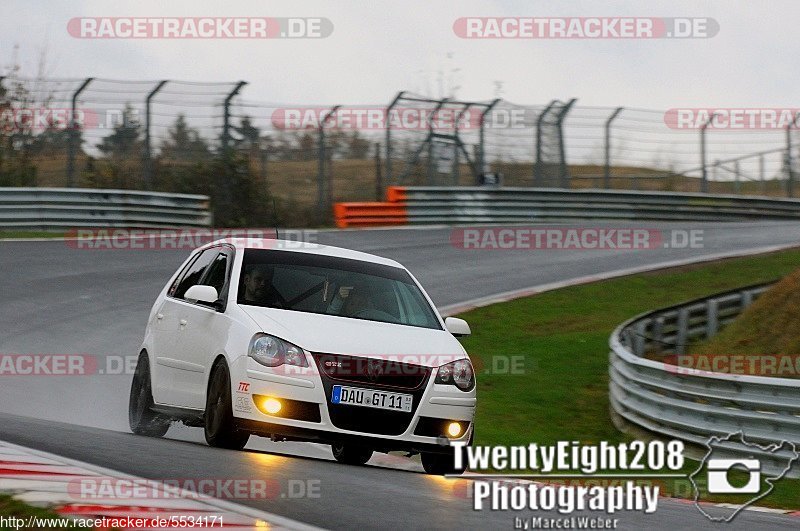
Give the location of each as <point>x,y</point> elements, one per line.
<point>168,135</point>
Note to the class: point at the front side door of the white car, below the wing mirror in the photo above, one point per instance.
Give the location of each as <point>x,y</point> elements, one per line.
<point>203,330</point>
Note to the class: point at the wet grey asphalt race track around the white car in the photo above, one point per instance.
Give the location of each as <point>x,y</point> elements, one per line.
<point>57,299</point>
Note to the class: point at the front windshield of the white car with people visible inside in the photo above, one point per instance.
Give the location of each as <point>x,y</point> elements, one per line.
<point>333,286</point>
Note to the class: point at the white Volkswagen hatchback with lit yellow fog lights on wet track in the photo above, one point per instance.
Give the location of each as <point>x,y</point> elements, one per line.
<point>297,341</point>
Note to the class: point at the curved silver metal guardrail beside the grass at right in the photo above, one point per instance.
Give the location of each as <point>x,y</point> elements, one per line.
<point>684,403</point>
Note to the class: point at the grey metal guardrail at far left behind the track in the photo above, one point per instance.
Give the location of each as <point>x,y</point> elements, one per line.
<point>65,208</point>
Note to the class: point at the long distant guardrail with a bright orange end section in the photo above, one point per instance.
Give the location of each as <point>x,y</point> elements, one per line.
<point>451,205</point>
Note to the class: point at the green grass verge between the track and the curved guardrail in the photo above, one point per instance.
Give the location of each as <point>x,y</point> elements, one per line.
<point>559,340</point>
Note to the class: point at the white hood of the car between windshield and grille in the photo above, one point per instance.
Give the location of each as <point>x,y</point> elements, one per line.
<point>357,337</point>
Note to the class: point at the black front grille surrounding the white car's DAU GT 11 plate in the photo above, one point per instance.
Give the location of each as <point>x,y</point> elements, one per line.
<point>354,371</point>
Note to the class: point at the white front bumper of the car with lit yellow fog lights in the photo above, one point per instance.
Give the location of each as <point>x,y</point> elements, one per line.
<point>381,430</point>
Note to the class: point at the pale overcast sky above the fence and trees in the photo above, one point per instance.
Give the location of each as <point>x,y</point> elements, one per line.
<point>379,47</point>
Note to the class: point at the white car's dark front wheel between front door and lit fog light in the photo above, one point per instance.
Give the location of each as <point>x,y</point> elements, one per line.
<point>219,427</point>
